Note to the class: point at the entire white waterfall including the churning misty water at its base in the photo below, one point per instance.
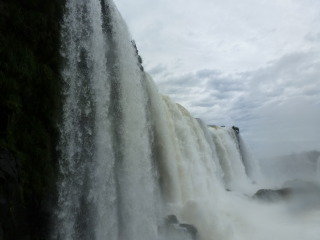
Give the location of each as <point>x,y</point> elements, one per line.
<point>131,157</point>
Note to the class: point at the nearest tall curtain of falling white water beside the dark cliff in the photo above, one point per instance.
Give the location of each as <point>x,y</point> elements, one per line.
<point>107,176</point>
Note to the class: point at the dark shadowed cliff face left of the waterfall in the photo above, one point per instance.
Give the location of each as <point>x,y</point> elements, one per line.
<point>29,109</point>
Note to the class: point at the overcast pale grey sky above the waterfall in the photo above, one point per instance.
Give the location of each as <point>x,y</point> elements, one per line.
<point>250,63</point>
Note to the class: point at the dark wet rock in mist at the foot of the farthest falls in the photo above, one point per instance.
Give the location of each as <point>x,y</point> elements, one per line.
<point>272,195</point>
